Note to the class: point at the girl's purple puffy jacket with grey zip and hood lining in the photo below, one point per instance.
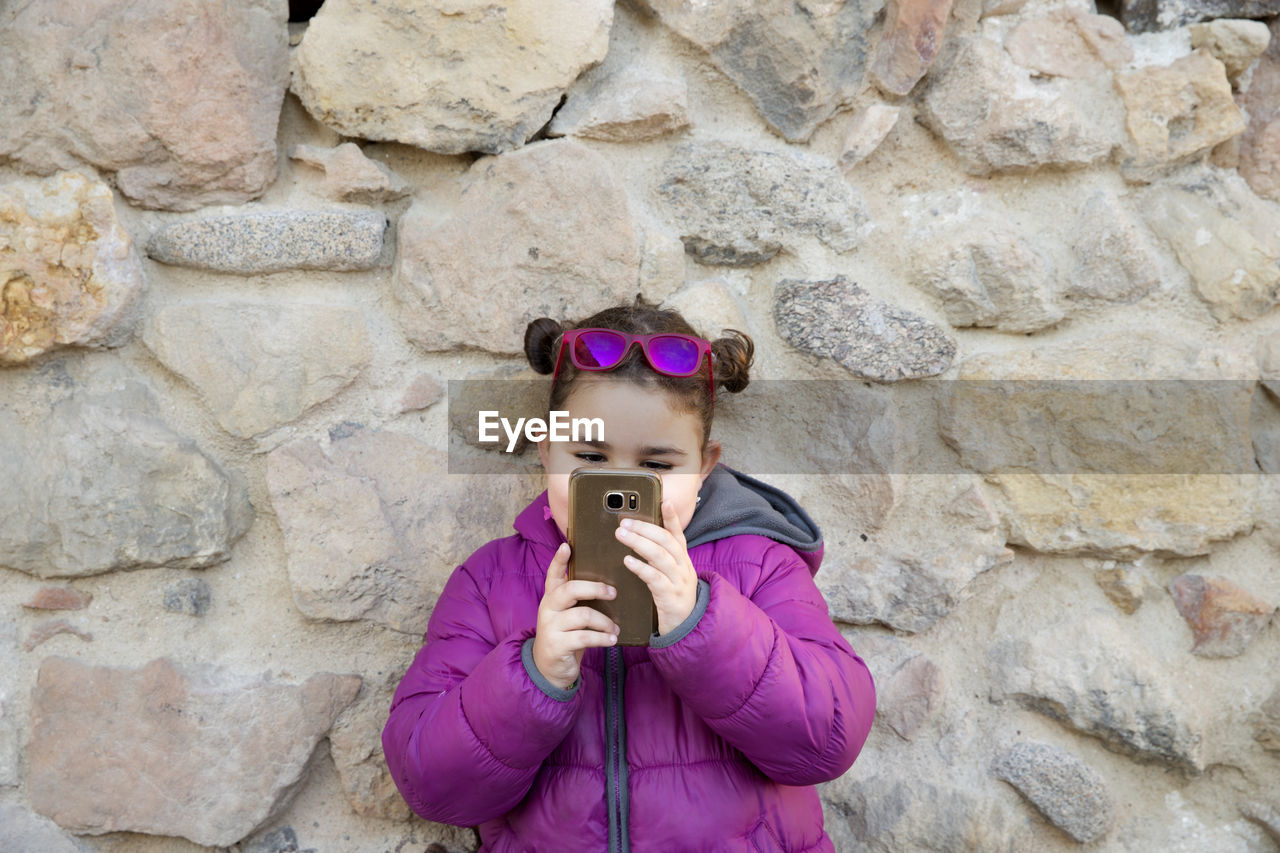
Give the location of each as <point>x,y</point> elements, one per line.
<point>710,740</point>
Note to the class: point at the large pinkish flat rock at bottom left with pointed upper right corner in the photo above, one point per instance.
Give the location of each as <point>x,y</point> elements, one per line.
<point>203,754</point>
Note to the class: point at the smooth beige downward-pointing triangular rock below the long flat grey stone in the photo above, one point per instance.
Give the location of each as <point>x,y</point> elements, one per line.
<point>260,366</point>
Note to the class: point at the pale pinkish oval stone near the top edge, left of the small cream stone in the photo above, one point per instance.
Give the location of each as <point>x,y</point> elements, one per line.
<point>1069,43</point>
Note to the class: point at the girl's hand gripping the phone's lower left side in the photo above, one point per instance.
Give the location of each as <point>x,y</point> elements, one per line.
<point>566,630</point>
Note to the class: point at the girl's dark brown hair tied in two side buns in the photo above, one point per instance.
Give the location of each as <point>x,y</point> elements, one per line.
<point>733,357</point>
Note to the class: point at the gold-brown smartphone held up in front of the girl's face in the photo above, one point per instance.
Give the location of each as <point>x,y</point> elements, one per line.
<point>598,499</point>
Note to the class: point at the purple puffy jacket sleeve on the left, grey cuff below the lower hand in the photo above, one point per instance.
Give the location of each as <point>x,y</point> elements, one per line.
<point>473,720</point>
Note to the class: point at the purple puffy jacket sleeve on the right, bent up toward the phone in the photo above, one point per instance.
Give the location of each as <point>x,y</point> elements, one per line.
<point>771,674</point>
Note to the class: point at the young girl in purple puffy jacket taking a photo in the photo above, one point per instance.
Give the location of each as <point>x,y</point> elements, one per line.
<point>523,717</point>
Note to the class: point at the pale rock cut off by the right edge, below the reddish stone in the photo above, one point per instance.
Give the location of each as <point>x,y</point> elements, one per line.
<point>1222,235</point>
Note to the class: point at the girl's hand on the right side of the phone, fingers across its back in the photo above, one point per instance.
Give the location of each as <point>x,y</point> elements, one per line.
<point>665,568</point>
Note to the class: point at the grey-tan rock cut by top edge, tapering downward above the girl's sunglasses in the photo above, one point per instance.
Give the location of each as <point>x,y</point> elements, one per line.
<point>798,62</point>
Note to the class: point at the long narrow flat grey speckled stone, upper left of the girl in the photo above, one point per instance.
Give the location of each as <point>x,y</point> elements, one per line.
<point>273,241</point>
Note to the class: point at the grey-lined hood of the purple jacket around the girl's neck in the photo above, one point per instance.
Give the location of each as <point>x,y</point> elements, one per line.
<point>733,504</point>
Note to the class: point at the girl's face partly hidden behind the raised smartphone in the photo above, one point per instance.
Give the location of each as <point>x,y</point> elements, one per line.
<point>642,430</point>
